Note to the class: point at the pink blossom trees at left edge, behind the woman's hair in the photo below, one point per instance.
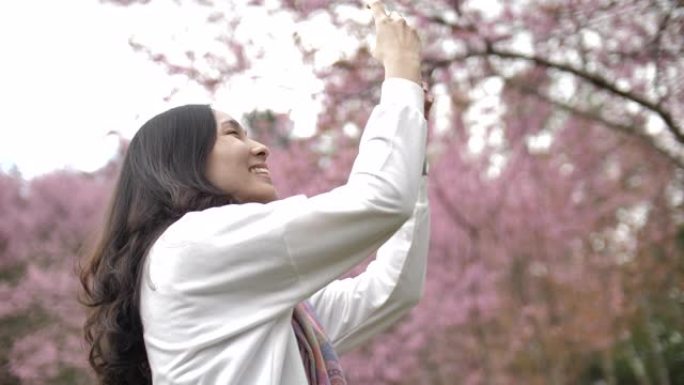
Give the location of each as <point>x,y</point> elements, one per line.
<point>45,224</point>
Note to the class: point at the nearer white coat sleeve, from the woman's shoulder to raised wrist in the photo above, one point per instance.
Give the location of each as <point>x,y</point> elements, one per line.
<point>265,258</point>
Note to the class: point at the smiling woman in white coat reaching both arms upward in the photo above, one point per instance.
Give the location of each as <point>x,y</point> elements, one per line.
<point>202,276</point>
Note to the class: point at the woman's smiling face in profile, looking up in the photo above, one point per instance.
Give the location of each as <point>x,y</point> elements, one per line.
<point>237,164</point>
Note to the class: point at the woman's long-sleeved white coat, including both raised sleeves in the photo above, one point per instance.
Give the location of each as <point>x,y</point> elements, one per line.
<point>219,285</point>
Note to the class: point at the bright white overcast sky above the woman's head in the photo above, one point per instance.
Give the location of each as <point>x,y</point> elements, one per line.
<point>68,77</point>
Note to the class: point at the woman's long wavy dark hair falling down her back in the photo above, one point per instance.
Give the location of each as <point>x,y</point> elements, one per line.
<point>161,179</point>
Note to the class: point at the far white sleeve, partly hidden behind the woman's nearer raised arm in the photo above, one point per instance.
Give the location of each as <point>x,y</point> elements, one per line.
<point>355,309</point>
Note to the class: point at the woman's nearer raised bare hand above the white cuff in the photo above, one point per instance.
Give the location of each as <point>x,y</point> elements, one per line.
<point>398,46</point>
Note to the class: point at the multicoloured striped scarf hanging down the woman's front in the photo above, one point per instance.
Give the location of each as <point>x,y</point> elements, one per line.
<point>320,360</point>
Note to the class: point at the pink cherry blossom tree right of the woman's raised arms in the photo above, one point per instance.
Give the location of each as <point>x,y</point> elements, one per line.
<point>557,171</point>
